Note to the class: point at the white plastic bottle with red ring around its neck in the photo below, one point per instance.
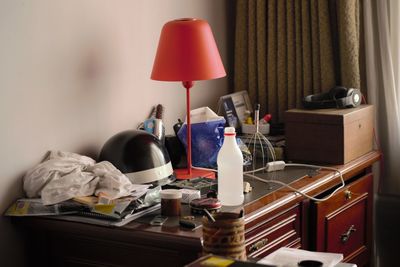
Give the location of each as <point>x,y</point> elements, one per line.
<point>230,170</point>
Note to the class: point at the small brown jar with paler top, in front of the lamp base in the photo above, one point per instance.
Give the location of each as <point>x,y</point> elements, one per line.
<point>171,202</point>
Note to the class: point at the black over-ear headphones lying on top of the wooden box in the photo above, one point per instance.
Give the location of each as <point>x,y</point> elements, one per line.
<point>337,97</point>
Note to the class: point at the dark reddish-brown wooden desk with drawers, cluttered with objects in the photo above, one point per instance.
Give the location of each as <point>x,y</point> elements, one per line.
<point>273,219</point>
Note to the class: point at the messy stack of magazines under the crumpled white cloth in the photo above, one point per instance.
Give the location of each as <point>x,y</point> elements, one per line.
<point>89,210</point>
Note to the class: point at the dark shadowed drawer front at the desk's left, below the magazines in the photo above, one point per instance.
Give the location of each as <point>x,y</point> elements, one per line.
<point>72,250</point>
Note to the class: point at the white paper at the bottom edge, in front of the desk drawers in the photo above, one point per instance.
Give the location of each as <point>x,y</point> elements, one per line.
<point>289,257</point>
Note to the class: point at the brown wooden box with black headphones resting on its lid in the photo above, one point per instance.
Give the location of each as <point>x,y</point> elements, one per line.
<point>333,136</point>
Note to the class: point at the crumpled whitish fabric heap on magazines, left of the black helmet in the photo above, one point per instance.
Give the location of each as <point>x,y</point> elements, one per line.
<point>64,175</point>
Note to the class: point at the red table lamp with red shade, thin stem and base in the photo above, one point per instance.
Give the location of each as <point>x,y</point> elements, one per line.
<point>187,52</point>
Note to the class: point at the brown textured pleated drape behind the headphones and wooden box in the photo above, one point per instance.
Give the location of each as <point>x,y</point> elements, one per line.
<point>287,49</point>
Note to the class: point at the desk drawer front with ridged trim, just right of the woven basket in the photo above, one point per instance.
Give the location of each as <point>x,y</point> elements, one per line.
<point>270,235</point>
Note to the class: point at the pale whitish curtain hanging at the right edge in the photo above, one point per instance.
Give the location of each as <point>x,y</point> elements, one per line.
<point>382,44</point>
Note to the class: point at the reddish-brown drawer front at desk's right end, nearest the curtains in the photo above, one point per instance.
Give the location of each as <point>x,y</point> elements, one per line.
<point>343,223</point>
